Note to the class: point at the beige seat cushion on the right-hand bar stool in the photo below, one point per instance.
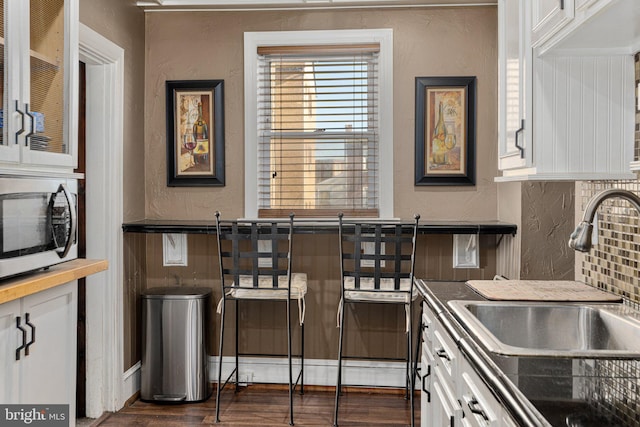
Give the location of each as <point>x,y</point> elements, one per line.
<point>385,294</point>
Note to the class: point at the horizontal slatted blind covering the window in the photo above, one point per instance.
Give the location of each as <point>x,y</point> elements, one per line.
<point>318,130</point>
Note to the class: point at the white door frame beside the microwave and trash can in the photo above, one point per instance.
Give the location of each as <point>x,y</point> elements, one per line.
<point>104,61</point>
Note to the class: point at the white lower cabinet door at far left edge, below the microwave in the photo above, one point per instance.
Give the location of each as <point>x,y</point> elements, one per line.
<point>10,340</point>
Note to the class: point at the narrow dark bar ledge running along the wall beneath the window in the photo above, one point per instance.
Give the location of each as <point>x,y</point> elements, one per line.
<point>310,226</point>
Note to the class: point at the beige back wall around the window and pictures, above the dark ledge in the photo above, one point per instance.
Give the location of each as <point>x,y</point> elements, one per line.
<point>427,42</point>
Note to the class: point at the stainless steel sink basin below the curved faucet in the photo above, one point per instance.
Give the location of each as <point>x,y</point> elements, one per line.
<point>552,329</point>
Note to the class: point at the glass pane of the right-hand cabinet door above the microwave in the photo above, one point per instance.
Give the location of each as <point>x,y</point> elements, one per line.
<point>46,106</point>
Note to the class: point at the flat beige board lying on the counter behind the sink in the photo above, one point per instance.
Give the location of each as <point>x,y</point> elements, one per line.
<point>540,290</point>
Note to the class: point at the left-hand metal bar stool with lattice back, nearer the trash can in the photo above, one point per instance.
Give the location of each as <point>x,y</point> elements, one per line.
<point>249,271</point>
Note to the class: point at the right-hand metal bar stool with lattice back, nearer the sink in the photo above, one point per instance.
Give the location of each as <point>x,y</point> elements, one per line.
<point>377,262</point>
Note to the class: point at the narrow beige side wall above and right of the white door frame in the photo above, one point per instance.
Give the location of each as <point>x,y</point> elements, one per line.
<point>123,23</point>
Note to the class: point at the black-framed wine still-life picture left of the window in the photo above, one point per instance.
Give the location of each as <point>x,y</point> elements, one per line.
<point>195,133</point>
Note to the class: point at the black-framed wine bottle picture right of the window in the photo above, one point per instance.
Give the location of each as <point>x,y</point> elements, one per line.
<point>445,130</point>
